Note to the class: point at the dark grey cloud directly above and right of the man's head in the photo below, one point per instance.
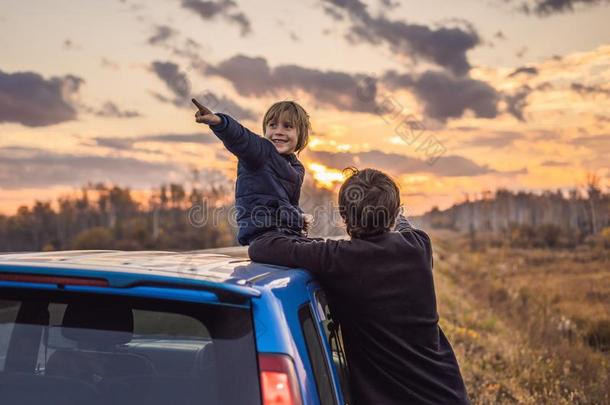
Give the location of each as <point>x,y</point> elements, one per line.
<point>446,96</point>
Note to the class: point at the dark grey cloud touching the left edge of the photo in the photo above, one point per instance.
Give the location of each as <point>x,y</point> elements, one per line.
<point>29,99</point>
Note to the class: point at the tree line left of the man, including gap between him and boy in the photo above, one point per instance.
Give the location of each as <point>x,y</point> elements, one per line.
<point>173,217</point>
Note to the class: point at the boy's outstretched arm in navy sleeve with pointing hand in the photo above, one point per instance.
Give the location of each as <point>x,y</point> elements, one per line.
<point>240,141</point>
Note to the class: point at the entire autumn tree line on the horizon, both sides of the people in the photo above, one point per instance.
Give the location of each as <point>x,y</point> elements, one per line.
<point>177,217</point>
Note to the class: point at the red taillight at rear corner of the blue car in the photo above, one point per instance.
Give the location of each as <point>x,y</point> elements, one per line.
<point>278,380</point>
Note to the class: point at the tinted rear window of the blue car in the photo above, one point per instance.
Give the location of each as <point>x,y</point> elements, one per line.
<point>62,348</point>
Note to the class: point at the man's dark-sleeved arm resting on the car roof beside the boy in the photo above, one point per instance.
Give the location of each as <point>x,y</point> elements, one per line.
<point>313,255</point>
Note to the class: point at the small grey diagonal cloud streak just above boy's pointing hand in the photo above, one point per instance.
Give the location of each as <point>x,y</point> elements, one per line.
<point>179,85</point>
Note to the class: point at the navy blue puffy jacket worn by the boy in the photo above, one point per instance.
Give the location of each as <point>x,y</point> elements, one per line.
<point>268,184</point>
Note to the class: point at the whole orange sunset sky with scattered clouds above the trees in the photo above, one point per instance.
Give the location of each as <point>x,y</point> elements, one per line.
<point>450,97</point>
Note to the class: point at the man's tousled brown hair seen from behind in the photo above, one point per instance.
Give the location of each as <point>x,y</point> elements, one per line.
<point>369,201</point>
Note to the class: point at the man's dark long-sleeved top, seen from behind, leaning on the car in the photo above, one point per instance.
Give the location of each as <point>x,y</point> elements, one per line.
<point>381,292</point>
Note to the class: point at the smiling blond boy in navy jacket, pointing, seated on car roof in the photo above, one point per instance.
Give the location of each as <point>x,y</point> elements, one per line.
<point>269,175</point>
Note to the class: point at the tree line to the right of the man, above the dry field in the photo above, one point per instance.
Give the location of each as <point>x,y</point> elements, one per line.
<point>550,218</point>
